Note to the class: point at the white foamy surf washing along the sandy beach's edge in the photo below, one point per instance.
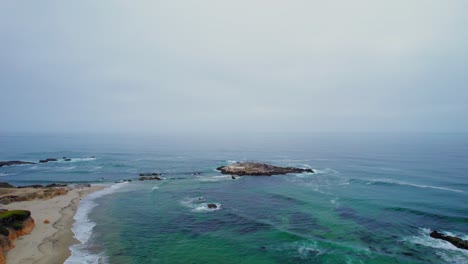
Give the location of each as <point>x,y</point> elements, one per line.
<point>83,228</point>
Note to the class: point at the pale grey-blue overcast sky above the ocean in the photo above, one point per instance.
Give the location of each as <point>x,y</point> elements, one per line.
<point>244,65</point>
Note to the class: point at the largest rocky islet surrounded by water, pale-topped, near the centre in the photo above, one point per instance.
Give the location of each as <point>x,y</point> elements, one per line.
<point>259,169</point>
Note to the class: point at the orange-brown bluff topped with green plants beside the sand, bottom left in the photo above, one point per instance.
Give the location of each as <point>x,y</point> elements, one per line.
<point>13,224</point>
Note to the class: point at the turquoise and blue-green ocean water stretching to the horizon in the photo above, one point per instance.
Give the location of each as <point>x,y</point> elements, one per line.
<point>374,198</point>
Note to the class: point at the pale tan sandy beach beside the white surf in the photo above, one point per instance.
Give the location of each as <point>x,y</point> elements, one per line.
<point>48,243</point>
